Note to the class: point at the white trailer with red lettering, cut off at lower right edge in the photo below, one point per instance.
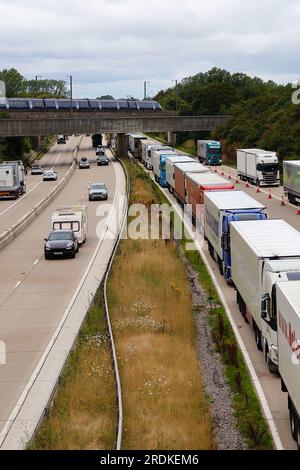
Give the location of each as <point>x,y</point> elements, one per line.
<point>288,311</point>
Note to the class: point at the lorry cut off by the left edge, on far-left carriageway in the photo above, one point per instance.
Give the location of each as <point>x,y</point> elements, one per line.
<point>12,179</point>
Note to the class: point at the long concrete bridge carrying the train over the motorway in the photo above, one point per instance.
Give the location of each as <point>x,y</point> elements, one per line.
<point>44,123</point>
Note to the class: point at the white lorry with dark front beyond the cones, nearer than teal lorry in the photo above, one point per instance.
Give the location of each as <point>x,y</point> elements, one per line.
<point>258,166</point>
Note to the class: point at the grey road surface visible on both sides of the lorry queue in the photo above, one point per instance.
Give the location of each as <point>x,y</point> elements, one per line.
<point>276,399</point>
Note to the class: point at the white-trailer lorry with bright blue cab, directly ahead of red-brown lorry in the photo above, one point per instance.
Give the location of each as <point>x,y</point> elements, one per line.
<point>222,208</point>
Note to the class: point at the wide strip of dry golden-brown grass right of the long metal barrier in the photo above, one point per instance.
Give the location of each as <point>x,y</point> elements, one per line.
<point>164,402</point>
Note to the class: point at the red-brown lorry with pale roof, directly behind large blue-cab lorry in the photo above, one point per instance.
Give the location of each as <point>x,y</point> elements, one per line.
<point>197,184</point>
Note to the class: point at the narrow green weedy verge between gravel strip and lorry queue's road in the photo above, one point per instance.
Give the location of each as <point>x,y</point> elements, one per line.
<point>247,410</point>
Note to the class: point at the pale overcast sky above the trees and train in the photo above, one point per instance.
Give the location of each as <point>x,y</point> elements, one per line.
<point>112,46</point>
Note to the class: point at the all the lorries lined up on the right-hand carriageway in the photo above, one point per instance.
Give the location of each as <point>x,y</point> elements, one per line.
<point>258,256</point>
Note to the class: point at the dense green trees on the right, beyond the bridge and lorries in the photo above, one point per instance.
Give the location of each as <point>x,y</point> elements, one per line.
<point>263,115</point>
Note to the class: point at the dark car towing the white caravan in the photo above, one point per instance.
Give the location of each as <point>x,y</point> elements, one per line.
<point>61,243</point>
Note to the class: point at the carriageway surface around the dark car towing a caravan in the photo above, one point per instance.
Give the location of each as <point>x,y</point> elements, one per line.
<point>34,293</point>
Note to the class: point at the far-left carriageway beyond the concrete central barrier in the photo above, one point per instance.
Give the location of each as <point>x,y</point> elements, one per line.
<point>59,157</point>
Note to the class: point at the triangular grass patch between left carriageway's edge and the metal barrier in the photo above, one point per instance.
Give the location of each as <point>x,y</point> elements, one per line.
<point>83,413</point>
